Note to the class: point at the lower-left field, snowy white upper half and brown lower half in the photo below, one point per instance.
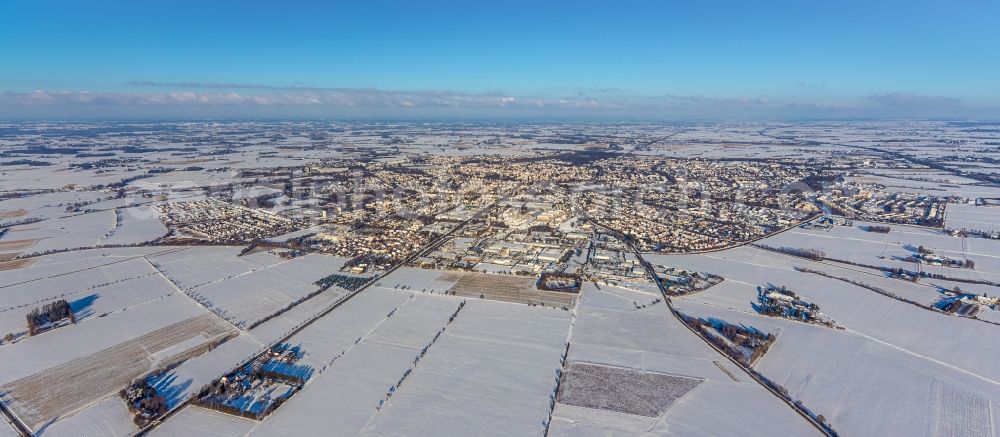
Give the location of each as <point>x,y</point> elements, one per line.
<point>99,357</point>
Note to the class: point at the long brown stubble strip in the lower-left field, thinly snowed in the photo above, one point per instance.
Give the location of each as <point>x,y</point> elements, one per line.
<point>68,387</point>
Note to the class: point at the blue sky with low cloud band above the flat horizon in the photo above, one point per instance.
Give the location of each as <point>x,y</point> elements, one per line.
<point>500,59</point>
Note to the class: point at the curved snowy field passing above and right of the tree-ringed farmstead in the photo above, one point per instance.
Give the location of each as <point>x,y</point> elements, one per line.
<point>958,341</point>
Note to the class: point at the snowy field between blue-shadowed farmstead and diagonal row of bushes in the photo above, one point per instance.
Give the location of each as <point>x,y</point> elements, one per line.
<point>348,388</point>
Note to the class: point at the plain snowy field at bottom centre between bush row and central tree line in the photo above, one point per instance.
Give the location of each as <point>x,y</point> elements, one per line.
<point>492,372</point>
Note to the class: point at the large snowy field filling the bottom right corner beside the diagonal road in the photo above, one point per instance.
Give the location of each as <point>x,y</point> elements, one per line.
<point>864,386</point>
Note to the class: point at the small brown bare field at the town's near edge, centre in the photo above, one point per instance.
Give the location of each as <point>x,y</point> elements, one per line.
<point>508,288</point>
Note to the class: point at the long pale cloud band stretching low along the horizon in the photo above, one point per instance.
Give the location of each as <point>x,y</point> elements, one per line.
<point>612,101</point>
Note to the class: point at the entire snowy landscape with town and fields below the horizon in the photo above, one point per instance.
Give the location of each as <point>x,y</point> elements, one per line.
<point>391,279</point>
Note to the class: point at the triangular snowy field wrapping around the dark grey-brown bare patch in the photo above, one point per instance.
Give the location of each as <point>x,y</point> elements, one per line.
<point>609,330</point>
